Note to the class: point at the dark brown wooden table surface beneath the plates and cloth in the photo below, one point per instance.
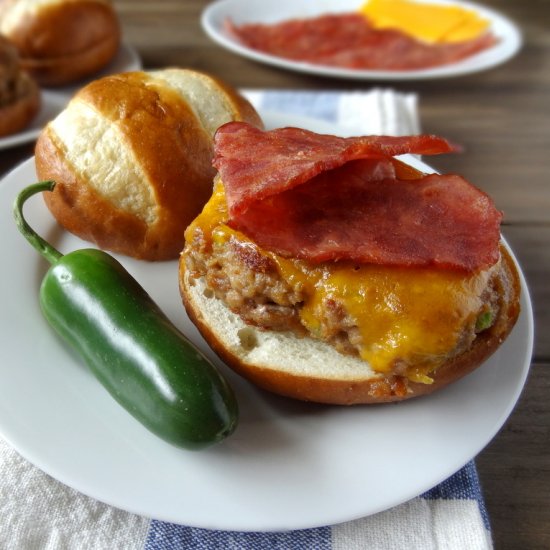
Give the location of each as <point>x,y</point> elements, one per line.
<point>502,118</point>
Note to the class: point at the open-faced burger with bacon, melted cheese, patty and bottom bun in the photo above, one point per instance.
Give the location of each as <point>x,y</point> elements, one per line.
<point>326,269</point>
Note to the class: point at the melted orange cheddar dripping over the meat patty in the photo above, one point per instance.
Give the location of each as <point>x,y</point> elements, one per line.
<point>408,317</point>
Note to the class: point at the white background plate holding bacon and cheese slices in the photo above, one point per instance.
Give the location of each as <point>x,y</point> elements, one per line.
<point>271,11</point>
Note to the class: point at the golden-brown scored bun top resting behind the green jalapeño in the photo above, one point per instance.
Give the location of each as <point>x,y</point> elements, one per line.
<point>132,158</point>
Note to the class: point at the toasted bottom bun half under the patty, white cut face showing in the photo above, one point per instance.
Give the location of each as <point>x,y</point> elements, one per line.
<point>310,370</point>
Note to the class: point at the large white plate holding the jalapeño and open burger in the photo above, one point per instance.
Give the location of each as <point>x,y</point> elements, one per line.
<point>289,465</point>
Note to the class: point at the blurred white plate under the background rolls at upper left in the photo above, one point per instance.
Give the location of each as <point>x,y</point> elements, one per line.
<point>55,99</point>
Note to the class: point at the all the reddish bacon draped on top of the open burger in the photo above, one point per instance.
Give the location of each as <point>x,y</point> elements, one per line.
<point>321,197</point>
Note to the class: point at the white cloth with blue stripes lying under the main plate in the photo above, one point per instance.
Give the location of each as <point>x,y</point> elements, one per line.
<point>39,513</point>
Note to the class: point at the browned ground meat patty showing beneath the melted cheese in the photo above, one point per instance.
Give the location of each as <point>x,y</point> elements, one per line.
<point>249,283</point>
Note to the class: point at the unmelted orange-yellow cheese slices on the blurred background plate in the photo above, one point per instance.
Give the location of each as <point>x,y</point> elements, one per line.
<point>433,23</point>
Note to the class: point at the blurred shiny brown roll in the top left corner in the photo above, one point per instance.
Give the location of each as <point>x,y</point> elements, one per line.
<point>61,41</point>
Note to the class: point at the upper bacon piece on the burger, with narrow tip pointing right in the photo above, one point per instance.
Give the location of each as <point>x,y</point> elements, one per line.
<point>267,163</point>
